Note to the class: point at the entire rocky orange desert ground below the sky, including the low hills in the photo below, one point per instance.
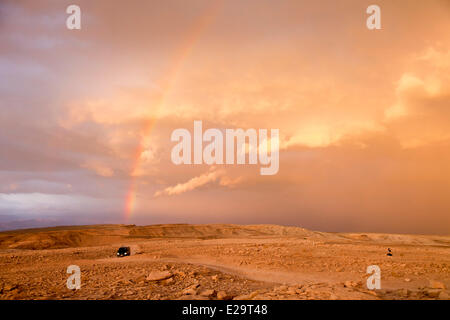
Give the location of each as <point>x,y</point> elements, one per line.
<point>210,262</point>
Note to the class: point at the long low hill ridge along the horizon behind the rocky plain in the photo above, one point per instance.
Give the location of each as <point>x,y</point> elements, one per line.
<point>95,235</point>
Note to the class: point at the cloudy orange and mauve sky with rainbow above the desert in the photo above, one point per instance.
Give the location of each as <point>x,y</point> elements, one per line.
<point>86,116</point>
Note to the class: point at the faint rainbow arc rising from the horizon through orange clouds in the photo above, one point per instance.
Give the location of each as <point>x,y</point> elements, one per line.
<point>189,42</point>
